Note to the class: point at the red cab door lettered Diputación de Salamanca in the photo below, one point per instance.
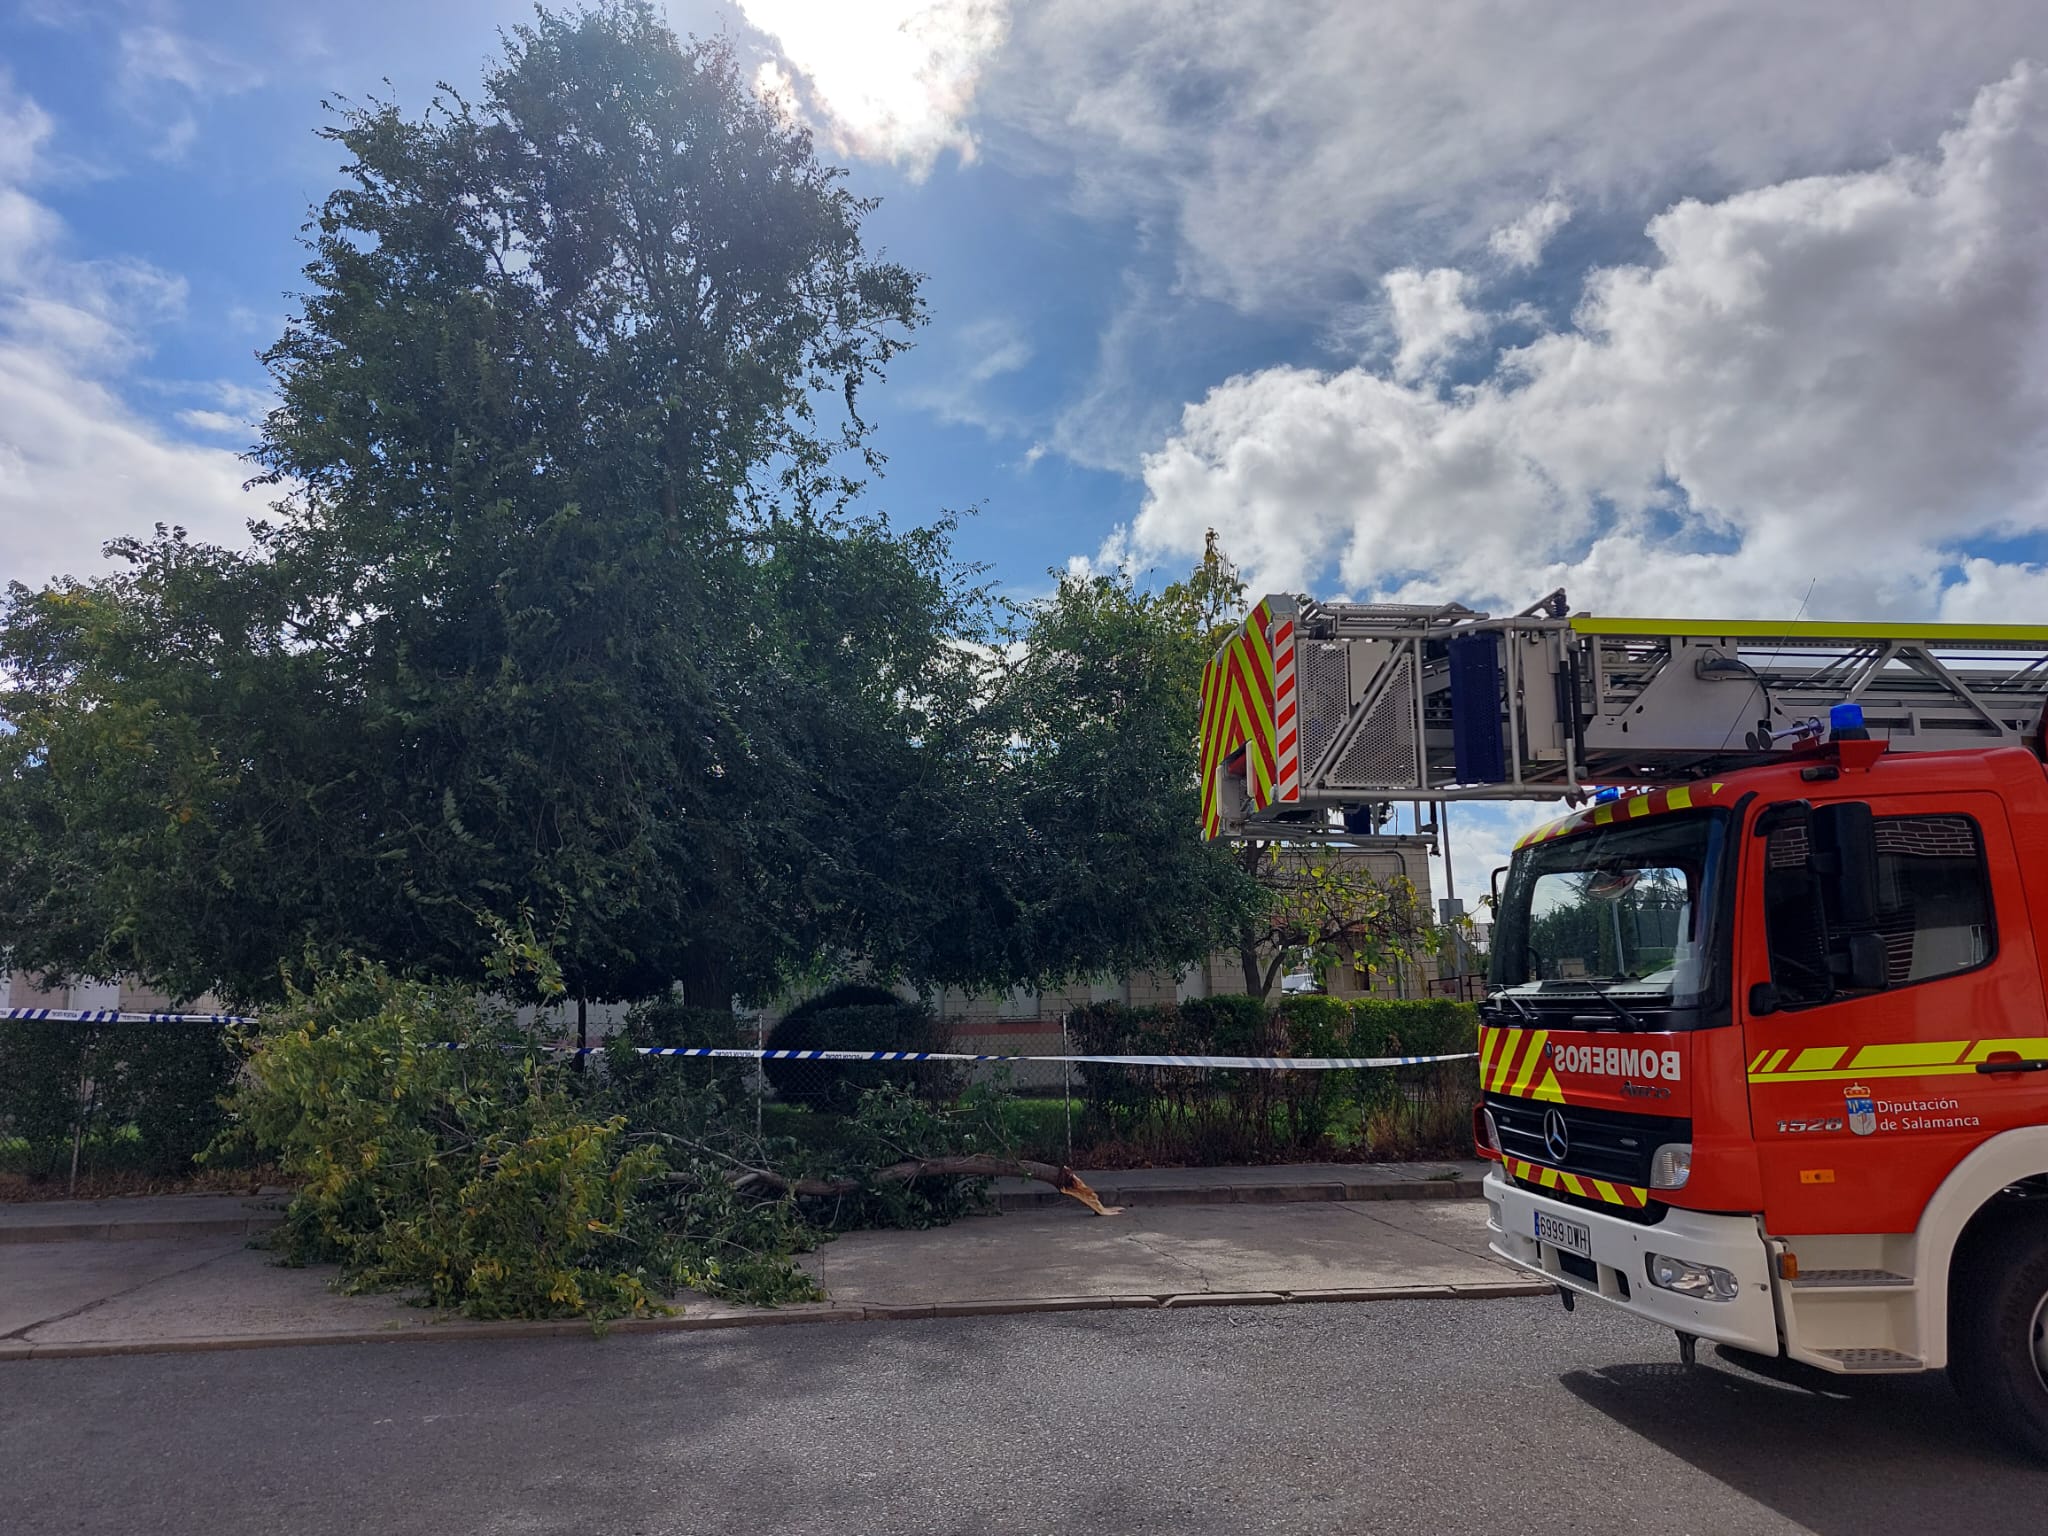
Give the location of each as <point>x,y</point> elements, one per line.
<point>1865,1091</point>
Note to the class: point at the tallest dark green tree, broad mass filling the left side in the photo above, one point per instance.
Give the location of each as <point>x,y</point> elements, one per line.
<point>564,613</point>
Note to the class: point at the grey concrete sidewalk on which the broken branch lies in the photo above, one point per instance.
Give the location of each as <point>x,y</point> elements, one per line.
<point>75,1297</point>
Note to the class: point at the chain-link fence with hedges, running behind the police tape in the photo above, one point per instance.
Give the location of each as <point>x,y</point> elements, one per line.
<point>110,1097</point>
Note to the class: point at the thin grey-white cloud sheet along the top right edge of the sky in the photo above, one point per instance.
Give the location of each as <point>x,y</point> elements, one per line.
<point>1299,148</point>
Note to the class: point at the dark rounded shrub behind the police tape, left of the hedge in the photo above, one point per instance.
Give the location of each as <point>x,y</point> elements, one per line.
<point>857,1019</point>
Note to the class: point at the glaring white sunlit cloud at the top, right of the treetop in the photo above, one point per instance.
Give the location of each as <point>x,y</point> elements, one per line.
<point>886,79</point>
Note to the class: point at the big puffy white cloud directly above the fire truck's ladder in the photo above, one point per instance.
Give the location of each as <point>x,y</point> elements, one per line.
<point>1830,382</point>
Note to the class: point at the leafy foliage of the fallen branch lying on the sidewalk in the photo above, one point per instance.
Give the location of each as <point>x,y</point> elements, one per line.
<point>441,1148</point>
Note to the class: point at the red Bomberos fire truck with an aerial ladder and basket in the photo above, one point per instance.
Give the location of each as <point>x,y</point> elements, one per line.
<point>1764,1056</point>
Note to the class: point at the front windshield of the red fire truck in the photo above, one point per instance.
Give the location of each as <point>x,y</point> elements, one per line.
<point>1625,910</point>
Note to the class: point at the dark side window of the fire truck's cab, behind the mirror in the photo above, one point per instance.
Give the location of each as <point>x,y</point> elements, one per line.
<point>1934,906</point>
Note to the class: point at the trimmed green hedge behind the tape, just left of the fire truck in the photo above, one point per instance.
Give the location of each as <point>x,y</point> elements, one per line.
<point>1211,1117</point>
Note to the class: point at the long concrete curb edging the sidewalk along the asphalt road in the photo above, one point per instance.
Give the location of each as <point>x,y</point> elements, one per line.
<point>816,1314</point>
